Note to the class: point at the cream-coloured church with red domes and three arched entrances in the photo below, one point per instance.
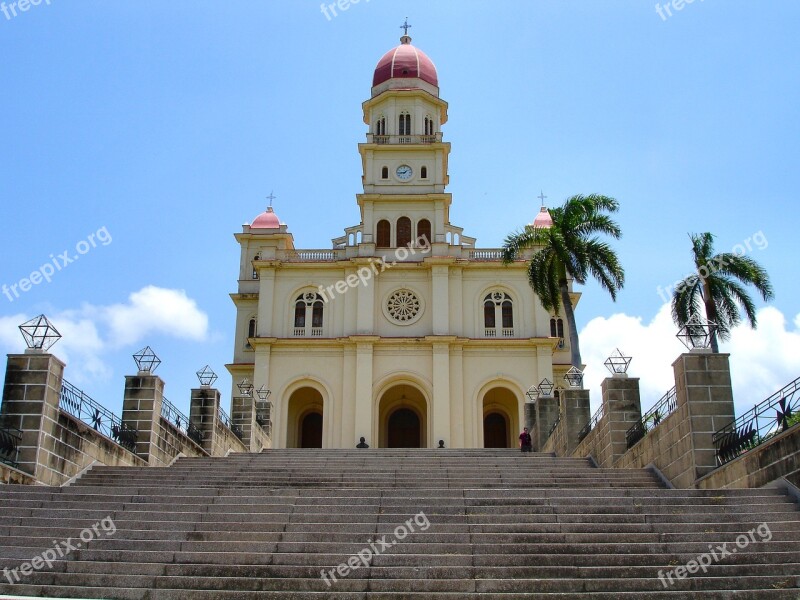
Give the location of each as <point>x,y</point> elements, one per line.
<point>404,332</point>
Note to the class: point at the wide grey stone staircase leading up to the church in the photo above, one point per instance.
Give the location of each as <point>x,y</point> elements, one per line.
<point>494,524</point>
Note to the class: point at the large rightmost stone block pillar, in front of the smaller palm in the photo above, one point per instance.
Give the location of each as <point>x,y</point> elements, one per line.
<point>703,387</point>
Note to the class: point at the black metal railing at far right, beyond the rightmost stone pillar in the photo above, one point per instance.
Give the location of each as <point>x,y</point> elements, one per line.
<point>761,423</point>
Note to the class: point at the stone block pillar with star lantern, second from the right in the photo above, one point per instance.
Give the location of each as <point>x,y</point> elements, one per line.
<point>622,409</point>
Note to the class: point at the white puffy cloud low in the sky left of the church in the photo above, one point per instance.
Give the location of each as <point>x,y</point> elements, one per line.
<point>90,333</point>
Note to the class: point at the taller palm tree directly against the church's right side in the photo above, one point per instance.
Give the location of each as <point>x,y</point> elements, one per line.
<point>570,248</point>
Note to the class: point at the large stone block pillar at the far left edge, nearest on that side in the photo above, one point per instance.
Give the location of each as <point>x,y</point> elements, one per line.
<point>30,403</point>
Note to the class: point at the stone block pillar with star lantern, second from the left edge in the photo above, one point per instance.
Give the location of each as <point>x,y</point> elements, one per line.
<point>141,411</point>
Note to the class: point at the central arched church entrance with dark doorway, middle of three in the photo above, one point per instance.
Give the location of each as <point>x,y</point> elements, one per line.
<point>403,418</point>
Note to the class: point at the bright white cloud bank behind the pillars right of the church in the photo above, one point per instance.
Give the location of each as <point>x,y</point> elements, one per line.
<point>762,360</point>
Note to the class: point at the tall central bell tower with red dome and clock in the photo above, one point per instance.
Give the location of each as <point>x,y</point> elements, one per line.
<point>404,160</point>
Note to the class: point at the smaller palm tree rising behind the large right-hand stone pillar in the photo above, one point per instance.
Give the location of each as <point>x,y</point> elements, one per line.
<point>718,284</point>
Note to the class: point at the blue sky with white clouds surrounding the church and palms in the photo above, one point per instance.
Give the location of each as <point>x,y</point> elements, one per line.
<point>161,127</point>
